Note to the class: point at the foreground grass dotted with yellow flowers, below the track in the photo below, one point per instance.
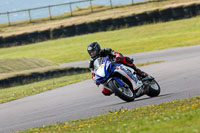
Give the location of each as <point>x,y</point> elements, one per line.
<point>181,116</point>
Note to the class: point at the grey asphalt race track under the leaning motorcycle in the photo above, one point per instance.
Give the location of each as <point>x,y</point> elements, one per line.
<point>178,76</point>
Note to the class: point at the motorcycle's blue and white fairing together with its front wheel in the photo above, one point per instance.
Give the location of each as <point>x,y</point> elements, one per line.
<point>118,78</point>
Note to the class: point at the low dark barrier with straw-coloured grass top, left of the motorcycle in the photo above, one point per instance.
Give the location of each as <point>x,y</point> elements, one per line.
<point>30,76</point>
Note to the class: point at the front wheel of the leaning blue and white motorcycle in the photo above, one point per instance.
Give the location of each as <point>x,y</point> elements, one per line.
<point>126,92</point>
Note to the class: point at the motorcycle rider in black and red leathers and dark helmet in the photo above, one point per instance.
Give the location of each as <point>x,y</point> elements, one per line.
<point>95,51</point>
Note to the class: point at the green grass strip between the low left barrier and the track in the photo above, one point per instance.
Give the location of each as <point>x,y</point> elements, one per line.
<point>13,93</point>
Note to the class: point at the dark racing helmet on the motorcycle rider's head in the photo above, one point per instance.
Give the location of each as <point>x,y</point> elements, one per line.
<point>94,49</point>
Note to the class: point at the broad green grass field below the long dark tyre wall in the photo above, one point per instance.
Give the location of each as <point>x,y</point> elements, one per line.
<point>130,40</point>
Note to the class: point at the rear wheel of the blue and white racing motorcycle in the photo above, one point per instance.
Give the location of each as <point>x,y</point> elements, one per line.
<point>153,89</point>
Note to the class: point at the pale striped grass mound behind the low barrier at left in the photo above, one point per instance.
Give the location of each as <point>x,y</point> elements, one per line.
<point>22,64</point>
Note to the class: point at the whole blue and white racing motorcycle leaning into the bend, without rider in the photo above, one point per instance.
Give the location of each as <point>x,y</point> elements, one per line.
<point>123,80</point>
